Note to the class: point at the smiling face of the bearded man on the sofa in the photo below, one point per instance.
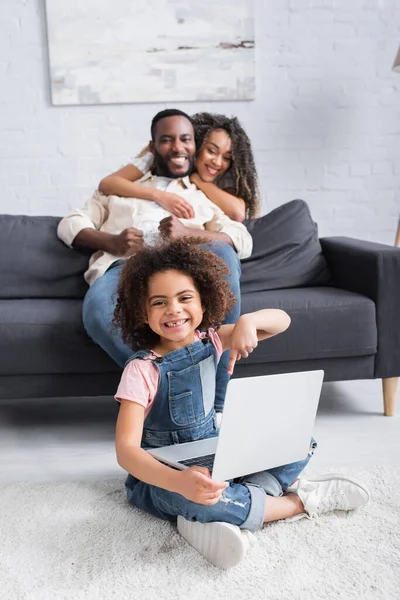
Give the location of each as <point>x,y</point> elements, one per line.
<point>173,147</point>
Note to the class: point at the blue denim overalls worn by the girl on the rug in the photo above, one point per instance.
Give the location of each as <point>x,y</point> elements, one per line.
<point>183,411</point>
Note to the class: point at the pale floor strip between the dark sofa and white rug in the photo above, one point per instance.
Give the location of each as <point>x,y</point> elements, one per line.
<point>73,439</point>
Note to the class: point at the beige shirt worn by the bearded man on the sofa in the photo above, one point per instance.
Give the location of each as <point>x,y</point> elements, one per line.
<point>113,214</point>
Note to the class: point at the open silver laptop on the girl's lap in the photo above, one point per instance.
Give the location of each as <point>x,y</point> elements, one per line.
<point>267,422</point>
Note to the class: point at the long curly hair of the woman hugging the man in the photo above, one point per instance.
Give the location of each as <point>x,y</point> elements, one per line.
<point>242,169</point>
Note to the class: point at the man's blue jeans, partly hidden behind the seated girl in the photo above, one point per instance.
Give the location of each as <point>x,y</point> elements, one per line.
<point>100,300</point>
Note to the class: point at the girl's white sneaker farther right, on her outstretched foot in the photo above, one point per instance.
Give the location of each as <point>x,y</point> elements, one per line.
<point>325,493</point>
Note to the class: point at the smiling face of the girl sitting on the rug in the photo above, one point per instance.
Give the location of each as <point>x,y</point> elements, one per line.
<point>174,309</point>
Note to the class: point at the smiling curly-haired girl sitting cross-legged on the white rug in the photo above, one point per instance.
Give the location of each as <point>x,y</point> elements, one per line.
<point>171,302</point>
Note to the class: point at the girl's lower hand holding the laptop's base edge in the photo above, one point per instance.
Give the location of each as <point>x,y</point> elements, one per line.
<point>196,485</point>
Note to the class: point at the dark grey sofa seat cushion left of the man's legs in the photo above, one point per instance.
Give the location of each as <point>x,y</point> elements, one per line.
<point>47,336</point>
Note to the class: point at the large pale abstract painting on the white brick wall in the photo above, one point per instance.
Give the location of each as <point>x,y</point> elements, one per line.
<point>150,51</point>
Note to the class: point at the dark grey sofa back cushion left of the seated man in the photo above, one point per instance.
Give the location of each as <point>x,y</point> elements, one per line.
<point>34,263</point>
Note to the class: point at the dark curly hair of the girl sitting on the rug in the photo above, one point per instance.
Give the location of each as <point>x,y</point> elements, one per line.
<point>186,256</point>
